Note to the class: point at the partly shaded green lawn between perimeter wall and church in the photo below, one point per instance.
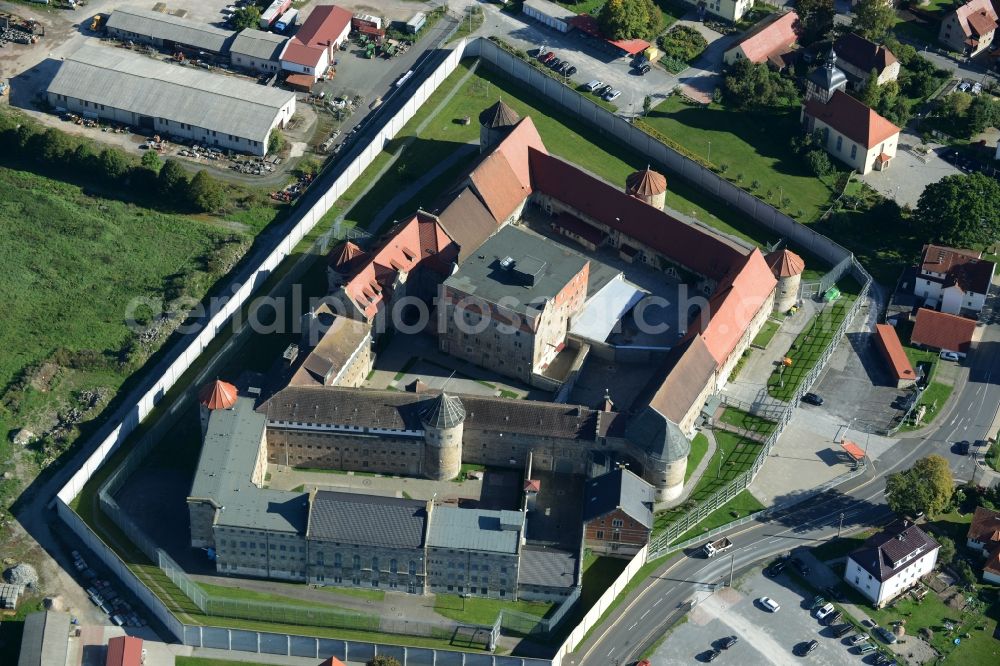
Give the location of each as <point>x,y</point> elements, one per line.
<point>754,146</point>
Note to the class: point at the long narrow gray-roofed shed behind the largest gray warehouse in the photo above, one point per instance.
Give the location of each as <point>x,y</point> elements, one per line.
<point>167,32</point>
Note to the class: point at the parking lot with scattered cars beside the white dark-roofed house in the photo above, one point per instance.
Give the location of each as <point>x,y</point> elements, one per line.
<point>763,637</point>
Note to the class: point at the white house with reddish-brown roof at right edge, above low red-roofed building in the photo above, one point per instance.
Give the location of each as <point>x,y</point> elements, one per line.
<point>953,280</point>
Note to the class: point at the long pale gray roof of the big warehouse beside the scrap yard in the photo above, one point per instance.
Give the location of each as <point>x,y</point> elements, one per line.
<point>138,84</point>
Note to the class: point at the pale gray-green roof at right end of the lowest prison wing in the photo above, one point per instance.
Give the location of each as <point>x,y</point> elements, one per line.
<point>475,529</point>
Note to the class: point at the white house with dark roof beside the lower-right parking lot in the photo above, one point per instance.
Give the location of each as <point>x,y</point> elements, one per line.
<point>891,562</point>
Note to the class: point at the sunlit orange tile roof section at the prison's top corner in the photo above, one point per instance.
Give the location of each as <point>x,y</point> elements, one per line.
<point>503,178</point>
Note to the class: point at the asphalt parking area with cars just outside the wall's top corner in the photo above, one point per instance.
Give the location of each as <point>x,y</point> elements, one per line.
<point>591,62</point>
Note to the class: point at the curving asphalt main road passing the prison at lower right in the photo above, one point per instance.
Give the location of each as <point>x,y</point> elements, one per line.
<point>642,620</point>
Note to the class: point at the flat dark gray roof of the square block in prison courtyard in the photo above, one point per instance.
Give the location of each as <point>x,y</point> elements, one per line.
<point>538,271</point>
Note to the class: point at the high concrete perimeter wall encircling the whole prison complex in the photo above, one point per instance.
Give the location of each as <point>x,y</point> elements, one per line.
<point>162,376</point>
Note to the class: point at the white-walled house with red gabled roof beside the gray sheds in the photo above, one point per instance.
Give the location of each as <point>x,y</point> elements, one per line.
<point>311,50</point>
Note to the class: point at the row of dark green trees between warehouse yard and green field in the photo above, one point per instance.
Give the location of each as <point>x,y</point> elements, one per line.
<point>75,158</point>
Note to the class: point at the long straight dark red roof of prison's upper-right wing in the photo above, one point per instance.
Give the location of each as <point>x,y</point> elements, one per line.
<point>688,244</point>
